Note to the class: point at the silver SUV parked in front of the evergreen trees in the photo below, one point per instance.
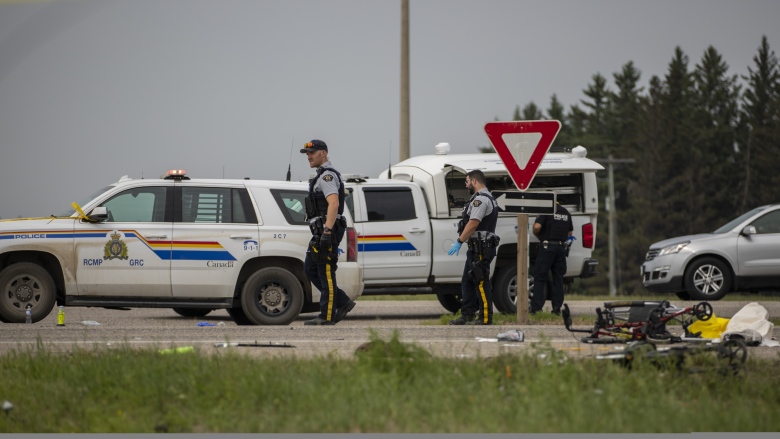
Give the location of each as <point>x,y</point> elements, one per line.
<point>743,255</point>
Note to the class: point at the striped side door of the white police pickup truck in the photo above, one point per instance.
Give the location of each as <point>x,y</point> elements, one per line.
<point>394,238</point>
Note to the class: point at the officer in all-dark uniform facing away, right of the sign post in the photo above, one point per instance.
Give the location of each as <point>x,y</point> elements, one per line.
<point>552,231</point>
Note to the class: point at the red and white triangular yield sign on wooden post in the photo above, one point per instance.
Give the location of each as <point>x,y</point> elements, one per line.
<point>521,145</point>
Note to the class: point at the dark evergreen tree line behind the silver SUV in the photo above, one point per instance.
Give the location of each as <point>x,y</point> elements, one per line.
<point>706,148</point>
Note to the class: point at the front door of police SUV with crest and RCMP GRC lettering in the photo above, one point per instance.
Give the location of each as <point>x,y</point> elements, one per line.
<point>128,254</point>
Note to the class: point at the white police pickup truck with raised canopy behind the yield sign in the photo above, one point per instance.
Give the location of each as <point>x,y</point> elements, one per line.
<point>407,222</point>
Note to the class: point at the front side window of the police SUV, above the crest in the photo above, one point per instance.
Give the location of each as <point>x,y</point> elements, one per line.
<point>137,205</point>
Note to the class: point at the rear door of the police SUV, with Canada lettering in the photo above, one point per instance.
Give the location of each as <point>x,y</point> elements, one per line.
<point>215,231</point>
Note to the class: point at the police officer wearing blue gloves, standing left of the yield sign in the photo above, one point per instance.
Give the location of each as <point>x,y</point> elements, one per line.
<point>477,227</point>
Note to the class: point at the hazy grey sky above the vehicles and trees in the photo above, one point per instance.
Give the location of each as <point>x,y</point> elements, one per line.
<point>91,90</point>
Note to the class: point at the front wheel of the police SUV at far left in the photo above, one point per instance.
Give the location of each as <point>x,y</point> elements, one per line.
<point>26,283</point>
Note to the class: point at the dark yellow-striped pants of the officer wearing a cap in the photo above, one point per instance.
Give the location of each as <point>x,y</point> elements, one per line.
<point>323,277</point>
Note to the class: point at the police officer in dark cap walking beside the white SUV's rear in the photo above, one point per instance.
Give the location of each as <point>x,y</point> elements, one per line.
<point>324,207</point>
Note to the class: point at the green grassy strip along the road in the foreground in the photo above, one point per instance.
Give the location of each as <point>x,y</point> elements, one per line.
<point>388,387</point>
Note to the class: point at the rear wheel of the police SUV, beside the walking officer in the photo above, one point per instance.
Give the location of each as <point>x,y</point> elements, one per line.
<point>272,296</point>
